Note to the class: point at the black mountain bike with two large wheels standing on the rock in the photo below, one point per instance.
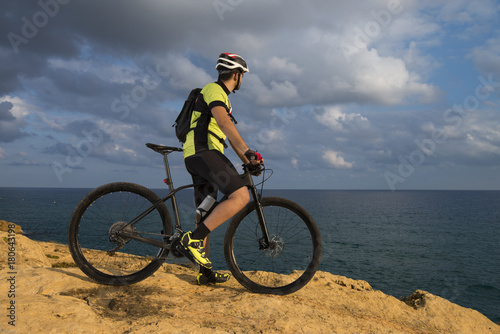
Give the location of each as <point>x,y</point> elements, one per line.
<point>121,233</point>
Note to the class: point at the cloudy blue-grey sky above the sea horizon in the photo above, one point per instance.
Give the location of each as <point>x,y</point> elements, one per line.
<point>375,94</point>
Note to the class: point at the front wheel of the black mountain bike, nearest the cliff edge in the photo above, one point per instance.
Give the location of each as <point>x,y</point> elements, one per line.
<point>292,256</point>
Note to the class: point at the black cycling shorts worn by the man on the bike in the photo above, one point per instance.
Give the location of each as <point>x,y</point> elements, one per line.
<point>214,169</point>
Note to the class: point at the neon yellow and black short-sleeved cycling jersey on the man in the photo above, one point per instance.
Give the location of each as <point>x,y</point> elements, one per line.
<point>207,135</point>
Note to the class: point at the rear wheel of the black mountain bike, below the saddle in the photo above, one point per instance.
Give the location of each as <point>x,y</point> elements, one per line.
<point>99,252</point>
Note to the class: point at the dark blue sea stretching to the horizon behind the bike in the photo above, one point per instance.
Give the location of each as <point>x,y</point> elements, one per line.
<point>443,242</point>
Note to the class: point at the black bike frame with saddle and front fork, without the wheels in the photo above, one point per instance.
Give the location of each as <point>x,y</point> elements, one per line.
<point>165,151</point>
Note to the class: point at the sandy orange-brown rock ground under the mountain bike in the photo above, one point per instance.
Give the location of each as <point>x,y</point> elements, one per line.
<point>53,296</point>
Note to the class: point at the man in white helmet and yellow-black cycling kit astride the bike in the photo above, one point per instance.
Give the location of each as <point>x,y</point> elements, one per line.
<point>204,158</point>
